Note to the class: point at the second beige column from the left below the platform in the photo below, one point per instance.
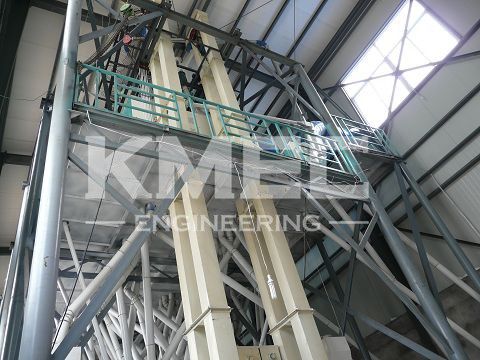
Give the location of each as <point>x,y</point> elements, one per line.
<point>213,302</point>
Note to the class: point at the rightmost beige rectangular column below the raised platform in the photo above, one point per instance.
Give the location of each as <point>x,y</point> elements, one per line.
<point>299,313</point>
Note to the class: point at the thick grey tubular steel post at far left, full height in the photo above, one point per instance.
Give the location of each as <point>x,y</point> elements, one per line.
<point>40,303</point>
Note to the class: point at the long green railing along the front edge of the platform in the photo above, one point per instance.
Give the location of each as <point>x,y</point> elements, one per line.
<point>142,100</point>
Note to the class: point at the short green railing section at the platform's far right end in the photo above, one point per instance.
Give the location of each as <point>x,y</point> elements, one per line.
<point>360,135</point>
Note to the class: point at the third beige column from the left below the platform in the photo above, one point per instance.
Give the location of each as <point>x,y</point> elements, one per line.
<point>274,309</point>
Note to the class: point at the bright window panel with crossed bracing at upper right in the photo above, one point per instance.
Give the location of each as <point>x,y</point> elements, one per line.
<point>371,81</point>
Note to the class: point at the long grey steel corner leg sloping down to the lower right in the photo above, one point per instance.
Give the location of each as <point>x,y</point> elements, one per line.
<point>429,304</point>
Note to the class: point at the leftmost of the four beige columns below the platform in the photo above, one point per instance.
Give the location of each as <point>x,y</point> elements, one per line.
<point>196,338</point>
